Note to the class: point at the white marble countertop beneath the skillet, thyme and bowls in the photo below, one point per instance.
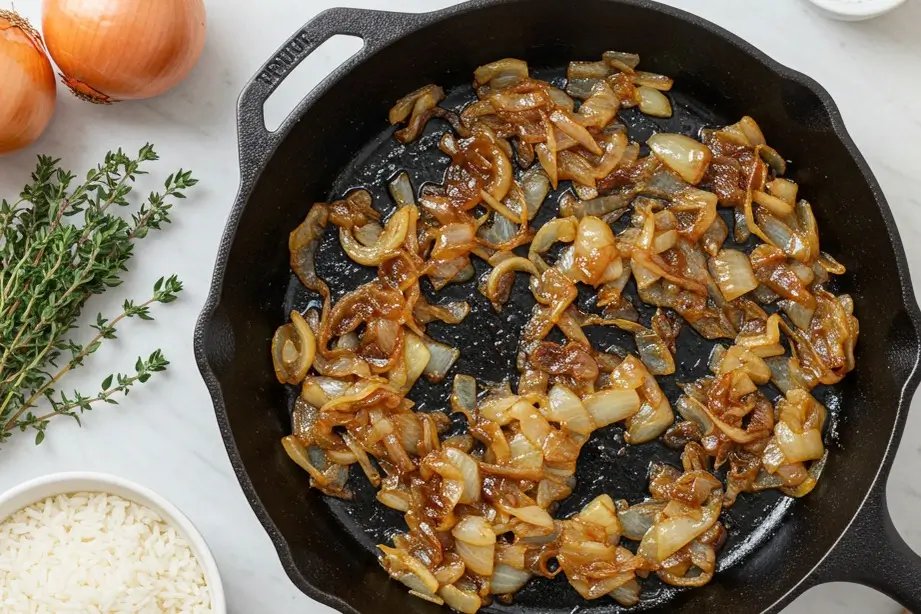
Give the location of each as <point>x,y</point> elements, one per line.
<point>165,436</point>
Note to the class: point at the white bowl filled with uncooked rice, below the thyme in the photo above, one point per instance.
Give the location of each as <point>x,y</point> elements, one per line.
<point>96,543</point>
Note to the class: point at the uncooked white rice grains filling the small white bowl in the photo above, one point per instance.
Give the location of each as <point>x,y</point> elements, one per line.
<point>97,553</point>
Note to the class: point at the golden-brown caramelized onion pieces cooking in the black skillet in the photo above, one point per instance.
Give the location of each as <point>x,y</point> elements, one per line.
<point>479,494</point>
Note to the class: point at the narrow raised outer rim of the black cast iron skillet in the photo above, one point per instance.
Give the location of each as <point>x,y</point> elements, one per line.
<point>407,24</point>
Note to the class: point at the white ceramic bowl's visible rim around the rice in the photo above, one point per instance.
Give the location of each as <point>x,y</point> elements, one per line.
<point>41,488</point>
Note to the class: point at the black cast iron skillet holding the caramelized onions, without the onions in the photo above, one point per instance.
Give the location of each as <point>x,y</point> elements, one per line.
<point>336,139</point>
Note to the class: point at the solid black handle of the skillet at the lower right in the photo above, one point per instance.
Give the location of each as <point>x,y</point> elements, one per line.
<point>872,553</point>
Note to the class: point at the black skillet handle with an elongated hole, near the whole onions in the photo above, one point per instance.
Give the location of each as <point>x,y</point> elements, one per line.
<point>376,28</point>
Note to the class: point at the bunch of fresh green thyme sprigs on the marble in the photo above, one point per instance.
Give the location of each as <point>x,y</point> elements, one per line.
<point>62,242</point>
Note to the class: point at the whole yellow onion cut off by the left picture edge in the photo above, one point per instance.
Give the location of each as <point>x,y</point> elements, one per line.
<point>27,89</point>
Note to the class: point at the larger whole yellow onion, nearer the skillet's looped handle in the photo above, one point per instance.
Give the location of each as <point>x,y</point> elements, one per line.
<point>110,50</point>
